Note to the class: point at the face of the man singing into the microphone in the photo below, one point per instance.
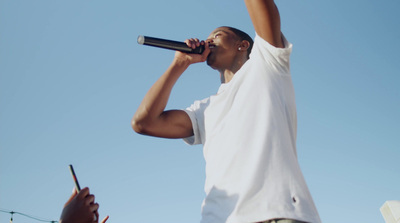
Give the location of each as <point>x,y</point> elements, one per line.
<point>223,48</point>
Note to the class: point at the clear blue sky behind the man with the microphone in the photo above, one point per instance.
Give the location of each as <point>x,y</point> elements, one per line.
<point>72,75</point>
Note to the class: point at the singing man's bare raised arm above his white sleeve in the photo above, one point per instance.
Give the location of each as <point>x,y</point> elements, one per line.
<point>266,20</point>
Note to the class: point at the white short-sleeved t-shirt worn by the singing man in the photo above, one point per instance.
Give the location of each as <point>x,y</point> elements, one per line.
<point>248,130</point>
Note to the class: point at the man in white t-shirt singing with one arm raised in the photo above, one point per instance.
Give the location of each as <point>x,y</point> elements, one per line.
<point>248,129</point>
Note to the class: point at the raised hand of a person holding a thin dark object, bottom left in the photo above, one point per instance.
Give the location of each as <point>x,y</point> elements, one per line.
<point>81,208</point>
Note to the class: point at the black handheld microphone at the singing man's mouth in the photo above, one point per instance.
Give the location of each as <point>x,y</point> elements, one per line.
<point>169,44</point>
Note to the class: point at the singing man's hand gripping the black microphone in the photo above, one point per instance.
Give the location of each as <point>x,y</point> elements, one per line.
<point>191,58</point>
